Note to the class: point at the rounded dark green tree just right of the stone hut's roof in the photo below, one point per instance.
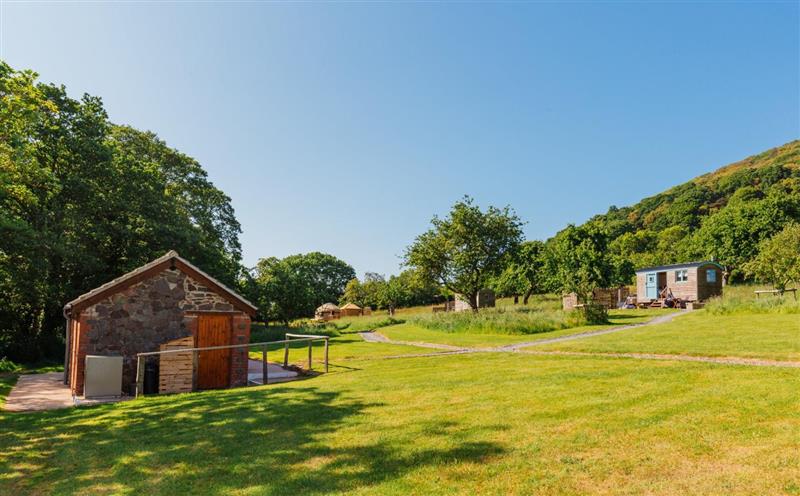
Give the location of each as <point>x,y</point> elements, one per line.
<point>293,287</point>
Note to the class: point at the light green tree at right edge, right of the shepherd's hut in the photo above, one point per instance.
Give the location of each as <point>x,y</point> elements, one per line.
<point>778,259</point>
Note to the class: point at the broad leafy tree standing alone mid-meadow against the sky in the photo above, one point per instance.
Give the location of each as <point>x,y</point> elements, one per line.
<point>465,250</point>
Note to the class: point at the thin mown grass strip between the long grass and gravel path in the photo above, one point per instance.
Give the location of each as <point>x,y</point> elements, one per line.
<point>412,332</point>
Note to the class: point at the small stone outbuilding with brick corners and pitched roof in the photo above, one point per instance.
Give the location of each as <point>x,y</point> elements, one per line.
<point>163,301</point>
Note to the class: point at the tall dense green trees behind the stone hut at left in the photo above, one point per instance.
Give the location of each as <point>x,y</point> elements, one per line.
<point>83,201</point>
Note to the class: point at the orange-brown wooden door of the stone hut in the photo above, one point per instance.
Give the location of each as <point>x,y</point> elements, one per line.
<point>213,367</point>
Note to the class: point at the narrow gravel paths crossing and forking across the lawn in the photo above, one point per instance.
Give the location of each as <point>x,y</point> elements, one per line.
<point>375,337</point>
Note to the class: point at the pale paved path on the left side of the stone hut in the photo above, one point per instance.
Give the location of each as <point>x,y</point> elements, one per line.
<point>35,392</point>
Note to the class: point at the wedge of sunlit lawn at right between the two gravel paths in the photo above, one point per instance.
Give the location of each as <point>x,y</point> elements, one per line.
<point>770,335</point>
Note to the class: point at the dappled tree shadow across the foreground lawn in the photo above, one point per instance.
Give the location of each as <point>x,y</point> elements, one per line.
<point>273,440</point>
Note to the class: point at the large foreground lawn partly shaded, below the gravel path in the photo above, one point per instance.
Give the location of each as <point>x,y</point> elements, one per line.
<point>459,424</point>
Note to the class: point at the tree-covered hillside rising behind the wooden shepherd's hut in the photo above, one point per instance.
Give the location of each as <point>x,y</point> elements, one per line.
<point>722,215</point>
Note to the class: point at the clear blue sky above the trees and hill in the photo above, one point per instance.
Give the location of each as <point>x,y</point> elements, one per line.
<point>343,127</point>
